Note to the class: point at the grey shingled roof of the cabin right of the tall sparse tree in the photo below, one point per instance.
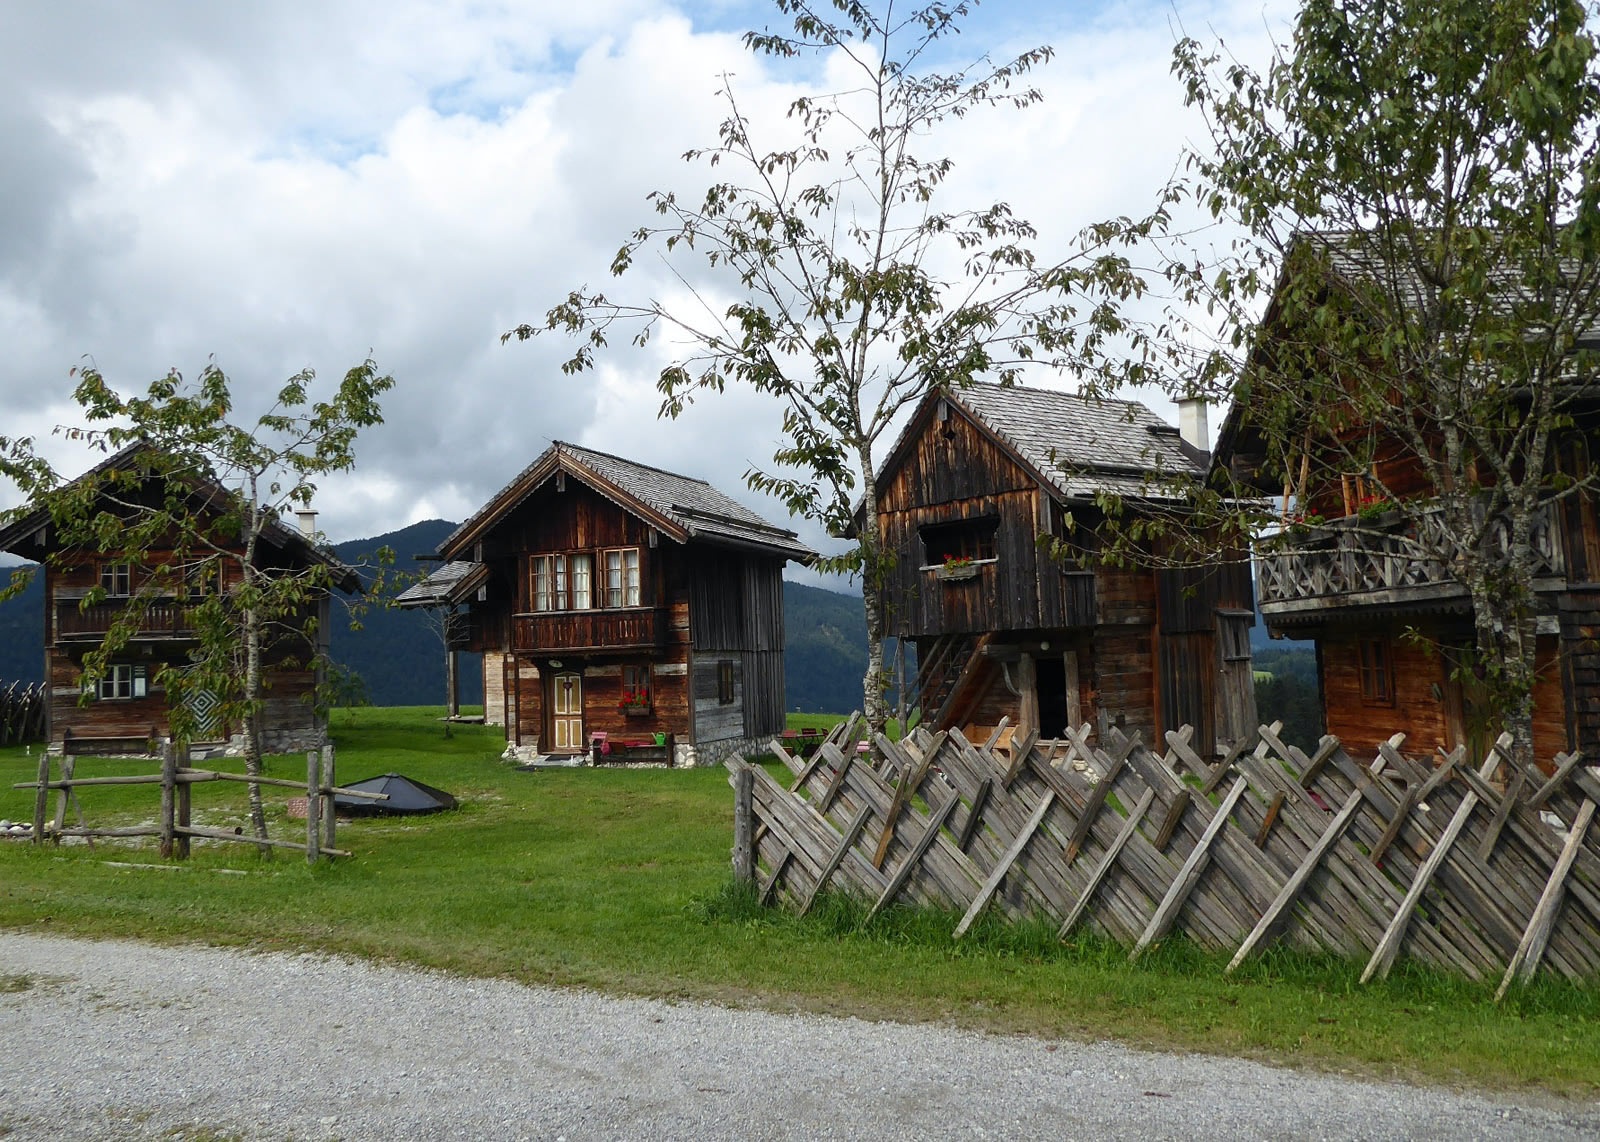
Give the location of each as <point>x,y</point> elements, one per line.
<point>1074,445</point>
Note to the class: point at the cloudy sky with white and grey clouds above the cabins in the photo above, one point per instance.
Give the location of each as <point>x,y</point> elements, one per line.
<point>302,185</point>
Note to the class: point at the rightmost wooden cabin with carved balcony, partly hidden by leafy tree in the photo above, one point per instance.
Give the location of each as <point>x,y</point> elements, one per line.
<point>1388,625</point>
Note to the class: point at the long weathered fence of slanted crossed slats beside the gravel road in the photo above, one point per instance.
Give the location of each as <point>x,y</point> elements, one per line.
<point>1473,868</point>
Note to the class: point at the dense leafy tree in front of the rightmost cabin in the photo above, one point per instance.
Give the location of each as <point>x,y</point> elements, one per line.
<point>1418,191</point>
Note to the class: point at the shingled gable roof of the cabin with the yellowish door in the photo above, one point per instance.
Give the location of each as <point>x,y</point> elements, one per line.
<point>681,508</point>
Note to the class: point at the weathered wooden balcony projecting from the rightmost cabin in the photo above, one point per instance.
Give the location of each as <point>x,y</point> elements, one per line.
<point>1380,564</point>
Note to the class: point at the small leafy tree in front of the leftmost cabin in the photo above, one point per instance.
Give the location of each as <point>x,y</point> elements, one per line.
<point>206,495</point>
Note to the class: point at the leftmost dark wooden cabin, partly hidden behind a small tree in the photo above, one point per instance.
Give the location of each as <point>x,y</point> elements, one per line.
<point>127,711</point>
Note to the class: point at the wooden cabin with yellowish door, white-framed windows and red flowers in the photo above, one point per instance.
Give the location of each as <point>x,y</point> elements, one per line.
<point>623,612</point>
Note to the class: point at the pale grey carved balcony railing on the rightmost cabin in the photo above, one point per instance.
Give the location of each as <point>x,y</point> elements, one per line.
<point>1350,557</point>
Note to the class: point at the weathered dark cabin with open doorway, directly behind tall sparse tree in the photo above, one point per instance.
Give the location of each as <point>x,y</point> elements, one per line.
<point>1004,629</point>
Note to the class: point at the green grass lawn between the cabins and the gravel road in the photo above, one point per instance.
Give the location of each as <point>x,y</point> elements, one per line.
<point>618,880</point>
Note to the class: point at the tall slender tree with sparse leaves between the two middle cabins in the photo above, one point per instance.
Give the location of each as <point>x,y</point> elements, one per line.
<point>855,285</point>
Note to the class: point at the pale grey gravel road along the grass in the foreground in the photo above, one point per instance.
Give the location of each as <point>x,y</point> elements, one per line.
<point>113,1040</point>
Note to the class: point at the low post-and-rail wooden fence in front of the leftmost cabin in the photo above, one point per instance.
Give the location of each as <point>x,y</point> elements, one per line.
<point>175,826</point>
